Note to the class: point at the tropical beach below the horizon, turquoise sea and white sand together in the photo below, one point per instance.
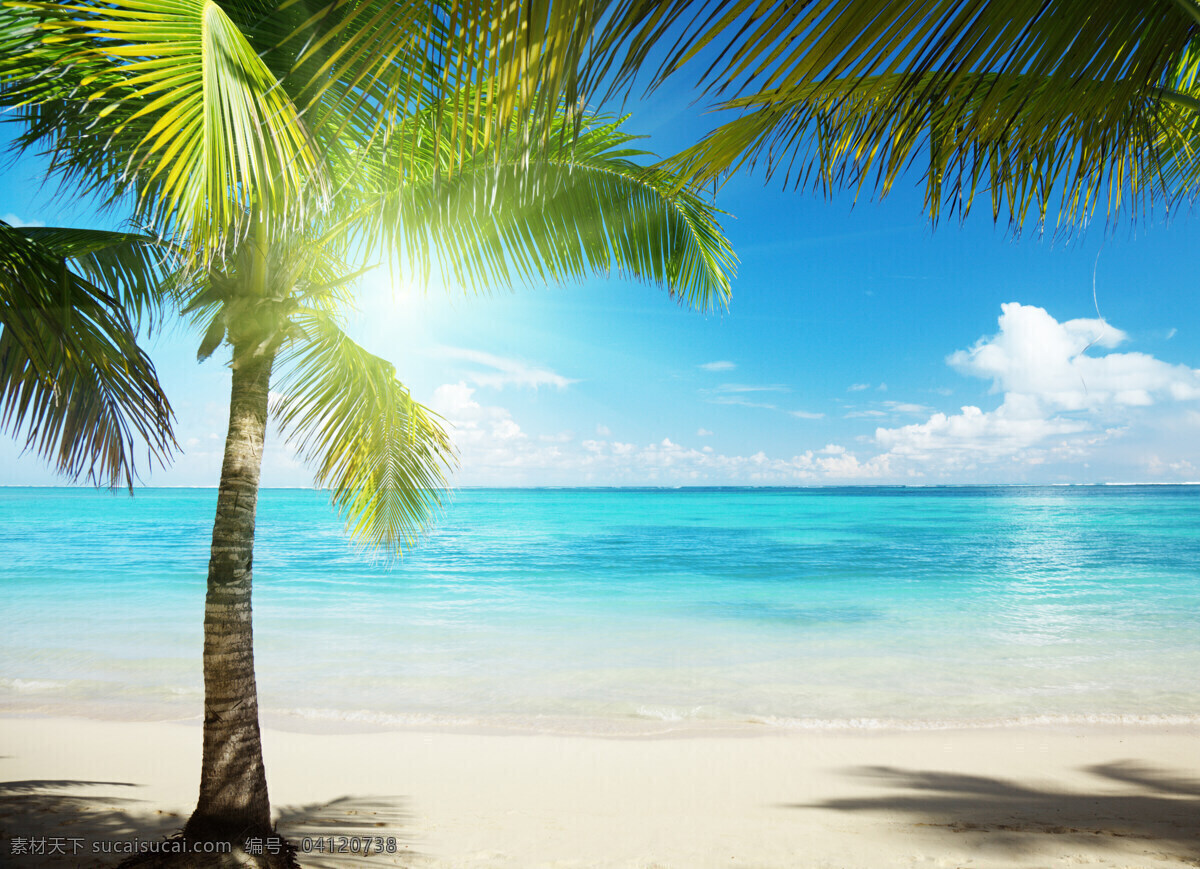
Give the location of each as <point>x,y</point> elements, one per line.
<point>753,678</point>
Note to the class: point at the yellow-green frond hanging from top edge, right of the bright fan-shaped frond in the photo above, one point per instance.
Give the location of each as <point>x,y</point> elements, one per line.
<point>375,64</point>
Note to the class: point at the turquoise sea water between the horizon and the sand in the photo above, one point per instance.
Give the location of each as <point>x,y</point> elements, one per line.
<point>627,610</point>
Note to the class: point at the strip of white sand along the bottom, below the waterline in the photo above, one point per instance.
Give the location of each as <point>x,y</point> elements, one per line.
<point>1007,798</point>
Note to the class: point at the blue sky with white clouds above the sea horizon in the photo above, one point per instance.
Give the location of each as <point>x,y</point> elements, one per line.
<point>861,347</point>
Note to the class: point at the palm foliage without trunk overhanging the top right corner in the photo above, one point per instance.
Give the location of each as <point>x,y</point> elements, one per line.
<point>1041,106</point>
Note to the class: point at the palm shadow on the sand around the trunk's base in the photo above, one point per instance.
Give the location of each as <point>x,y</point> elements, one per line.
<point>77,814</point>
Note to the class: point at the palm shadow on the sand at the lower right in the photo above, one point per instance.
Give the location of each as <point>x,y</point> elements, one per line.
<point>1137,811</point>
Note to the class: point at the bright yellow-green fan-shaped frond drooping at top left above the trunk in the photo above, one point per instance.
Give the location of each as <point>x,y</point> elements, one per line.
<point>191,118</point>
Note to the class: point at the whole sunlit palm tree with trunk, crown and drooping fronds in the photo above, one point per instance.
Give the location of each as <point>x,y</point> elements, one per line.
<point>285,151</point>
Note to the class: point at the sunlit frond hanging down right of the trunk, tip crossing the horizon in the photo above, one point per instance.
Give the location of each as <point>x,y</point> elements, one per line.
<point>382,454</point>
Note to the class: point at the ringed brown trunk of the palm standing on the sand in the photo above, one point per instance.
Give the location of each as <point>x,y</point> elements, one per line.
<point>233,802</point>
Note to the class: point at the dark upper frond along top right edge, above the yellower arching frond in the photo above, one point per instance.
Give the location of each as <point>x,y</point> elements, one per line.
<point>764,46</point>
